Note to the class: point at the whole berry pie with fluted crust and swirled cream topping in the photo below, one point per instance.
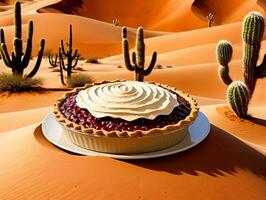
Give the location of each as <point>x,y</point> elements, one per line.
<point>125,117</point>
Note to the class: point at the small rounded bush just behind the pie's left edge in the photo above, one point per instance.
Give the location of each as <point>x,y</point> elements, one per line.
<point>78,80</point>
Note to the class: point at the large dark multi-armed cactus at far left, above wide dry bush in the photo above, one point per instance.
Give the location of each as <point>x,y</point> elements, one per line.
<point>19,60</point>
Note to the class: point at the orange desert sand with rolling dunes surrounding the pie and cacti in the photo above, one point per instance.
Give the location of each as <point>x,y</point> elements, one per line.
<point>229,164</point>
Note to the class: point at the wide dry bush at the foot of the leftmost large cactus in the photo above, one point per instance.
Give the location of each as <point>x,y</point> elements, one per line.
<point>16,83</point>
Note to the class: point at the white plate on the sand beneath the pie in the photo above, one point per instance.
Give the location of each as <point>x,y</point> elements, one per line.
<point>198,131</point>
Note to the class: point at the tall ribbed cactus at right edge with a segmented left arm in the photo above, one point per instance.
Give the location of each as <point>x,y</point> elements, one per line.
<point>252,34</point>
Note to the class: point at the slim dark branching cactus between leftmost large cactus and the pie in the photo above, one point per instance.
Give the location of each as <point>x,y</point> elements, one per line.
<point>69,54</point>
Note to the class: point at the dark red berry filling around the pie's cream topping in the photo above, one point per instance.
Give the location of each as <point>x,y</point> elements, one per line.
<point>83,117</point>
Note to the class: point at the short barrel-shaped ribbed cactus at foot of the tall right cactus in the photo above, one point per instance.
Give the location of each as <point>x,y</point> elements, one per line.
<point>238,98</point>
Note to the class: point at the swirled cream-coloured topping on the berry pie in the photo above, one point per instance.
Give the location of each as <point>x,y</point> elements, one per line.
<point>128,100</point>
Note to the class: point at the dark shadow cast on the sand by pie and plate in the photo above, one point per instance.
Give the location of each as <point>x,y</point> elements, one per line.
<point>220,154</point>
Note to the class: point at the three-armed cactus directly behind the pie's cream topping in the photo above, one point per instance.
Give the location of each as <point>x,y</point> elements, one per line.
<point>138,57</point>
